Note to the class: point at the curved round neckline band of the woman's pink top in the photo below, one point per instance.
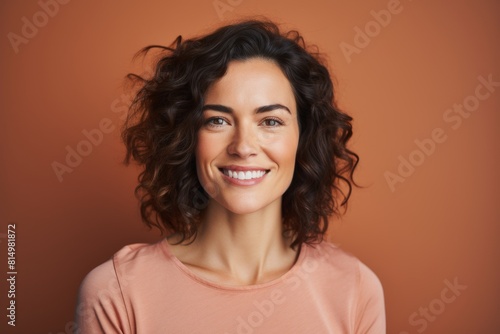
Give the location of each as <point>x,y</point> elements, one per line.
<point>227,287</point>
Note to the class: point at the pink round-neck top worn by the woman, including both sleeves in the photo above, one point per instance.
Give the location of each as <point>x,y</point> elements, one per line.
<point>144,288</point>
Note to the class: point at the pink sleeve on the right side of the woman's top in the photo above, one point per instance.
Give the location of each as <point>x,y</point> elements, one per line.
<point>370,311</point>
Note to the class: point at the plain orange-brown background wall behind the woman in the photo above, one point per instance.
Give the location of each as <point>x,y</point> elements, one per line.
<point>441,223</point>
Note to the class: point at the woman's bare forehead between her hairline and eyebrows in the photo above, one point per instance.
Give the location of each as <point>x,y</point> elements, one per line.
<point>252,83</point>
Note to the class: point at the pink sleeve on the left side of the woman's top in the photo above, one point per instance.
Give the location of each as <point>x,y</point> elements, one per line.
<point>100,307</point>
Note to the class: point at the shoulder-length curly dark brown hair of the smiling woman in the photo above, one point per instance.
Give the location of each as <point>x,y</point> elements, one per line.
<point>160,132</point>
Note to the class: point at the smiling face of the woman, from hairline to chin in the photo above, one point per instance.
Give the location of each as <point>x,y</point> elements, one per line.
<point>246,148</point>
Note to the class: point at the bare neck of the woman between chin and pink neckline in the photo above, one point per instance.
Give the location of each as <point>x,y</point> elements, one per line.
<point>249,248</point>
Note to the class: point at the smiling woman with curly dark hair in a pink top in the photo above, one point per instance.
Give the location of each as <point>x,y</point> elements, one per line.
<point>245,158</point>
